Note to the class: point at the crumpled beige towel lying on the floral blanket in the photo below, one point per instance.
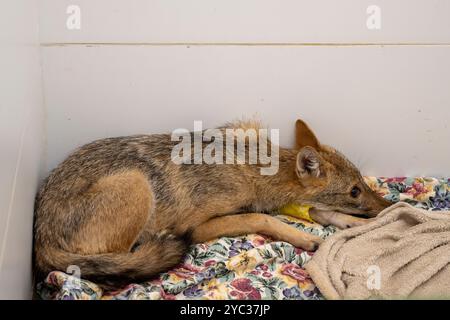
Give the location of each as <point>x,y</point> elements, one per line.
<point>404,253</point>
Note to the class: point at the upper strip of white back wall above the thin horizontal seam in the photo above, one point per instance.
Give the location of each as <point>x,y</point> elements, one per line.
<point>247,21</point>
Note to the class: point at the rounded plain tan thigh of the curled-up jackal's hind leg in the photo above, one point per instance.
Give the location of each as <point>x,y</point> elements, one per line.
<point>121,203</point>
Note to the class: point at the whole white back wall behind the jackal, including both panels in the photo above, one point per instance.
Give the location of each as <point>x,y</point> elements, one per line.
<point>381,96</point>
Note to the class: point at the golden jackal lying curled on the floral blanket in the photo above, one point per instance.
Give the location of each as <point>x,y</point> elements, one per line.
<point>121,209</point>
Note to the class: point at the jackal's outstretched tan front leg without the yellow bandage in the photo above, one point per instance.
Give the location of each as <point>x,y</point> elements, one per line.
<point>248,223</point>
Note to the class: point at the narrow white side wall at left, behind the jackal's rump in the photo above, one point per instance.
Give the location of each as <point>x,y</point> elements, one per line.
<point>21,141</point>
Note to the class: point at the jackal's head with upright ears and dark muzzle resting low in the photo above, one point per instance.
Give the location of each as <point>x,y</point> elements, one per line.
<point>332,182</point>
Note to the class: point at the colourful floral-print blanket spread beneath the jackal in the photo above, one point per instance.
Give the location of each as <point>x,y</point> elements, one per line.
<point>247,267</point>
